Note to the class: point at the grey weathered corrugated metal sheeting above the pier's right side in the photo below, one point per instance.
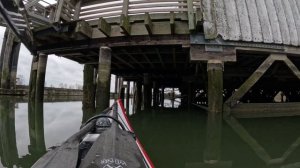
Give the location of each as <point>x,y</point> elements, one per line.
<point>266,21</point>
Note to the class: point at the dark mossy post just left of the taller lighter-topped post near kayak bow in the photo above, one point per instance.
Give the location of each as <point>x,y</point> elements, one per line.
<point>88,87</point>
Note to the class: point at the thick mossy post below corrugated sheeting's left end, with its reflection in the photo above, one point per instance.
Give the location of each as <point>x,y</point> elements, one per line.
<point>215,107</point>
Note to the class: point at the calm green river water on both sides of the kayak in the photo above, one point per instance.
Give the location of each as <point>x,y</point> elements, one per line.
<point>173,137</point>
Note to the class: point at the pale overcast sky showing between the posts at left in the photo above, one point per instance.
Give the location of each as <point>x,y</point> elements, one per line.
<point>59,70</point>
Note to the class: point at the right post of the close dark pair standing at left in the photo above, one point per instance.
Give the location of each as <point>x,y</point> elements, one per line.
<point>40,77</point>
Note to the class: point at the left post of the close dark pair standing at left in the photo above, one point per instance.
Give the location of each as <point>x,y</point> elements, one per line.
<point>32,80</point>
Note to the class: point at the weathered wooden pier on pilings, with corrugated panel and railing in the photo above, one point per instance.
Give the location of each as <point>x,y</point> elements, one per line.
<point>234,54</point>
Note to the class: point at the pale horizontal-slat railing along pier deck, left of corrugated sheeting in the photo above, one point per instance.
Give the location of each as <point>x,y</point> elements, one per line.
<point>92,10</point>
